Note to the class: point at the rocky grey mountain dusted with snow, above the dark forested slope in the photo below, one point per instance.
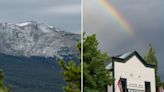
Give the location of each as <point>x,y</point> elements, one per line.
<point>36,39</point>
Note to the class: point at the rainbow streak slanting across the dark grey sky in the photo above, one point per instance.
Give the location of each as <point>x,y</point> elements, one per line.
<point>110,8</point>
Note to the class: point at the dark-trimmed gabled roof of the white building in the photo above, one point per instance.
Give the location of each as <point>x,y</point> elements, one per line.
<point>126,56</point>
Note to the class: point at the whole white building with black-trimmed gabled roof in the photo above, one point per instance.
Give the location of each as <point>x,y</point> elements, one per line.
<point>135,74</point>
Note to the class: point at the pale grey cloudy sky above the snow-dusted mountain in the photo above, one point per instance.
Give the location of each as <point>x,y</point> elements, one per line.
<point>63,14</point>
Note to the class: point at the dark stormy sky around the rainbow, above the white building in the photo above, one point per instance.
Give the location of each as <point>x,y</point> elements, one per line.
<point>145,18</point>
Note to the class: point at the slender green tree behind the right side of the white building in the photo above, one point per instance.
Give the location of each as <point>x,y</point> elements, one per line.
<point>152,59</point>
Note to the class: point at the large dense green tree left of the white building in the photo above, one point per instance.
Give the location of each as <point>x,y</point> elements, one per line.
<point>96,77</point>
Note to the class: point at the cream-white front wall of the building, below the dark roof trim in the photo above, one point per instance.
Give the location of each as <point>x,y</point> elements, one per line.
<point>135,73</point>
